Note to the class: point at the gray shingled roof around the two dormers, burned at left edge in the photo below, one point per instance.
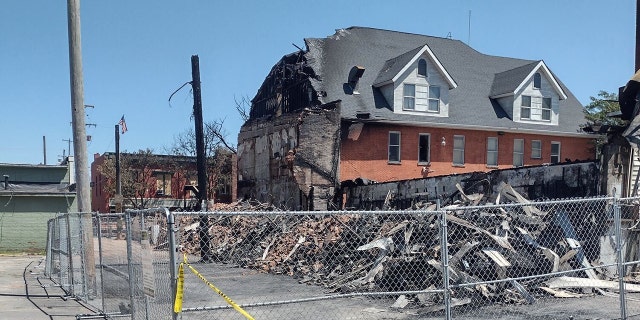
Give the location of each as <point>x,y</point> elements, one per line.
<point>378,50</point>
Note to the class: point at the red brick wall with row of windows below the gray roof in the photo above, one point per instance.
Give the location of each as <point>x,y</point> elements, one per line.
<point>367,157</point>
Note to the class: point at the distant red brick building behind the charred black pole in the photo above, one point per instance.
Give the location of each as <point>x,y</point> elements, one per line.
<point>151,180</point>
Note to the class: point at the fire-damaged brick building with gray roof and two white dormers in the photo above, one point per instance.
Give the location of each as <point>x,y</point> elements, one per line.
<point>384,105</point>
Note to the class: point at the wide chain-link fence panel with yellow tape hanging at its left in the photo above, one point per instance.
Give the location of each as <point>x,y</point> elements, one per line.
<point>310,265</point>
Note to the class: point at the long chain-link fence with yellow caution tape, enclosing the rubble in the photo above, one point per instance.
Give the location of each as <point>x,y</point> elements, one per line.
<point>525,260</point>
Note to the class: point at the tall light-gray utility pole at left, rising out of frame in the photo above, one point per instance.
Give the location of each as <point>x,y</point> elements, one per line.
<point>79,139</point>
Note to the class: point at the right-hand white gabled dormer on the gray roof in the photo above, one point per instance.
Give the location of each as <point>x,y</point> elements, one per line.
<point>529,94</point>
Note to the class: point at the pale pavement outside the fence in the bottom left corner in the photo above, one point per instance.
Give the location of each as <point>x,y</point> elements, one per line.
<point>26,293</point>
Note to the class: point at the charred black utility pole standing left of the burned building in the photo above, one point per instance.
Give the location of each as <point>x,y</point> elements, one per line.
<point>203,227</point>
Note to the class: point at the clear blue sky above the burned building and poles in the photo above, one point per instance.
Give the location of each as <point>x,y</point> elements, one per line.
<point>136,53</point>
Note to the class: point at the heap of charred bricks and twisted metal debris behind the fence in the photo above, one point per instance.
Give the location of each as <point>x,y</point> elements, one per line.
<point>401,251</point>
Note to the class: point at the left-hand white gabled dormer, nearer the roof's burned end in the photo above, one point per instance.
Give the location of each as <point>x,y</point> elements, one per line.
<point>416,83</point>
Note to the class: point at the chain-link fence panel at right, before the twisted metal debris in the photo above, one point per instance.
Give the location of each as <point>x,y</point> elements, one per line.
<point>531,260</point>
